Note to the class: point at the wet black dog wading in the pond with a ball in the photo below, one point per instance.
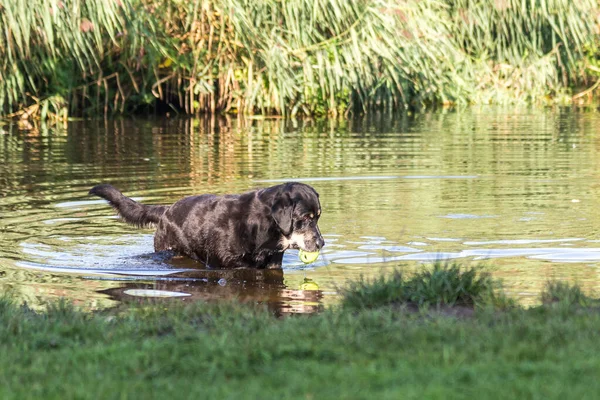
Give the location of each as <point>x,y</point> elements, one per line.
<point>250,230</point>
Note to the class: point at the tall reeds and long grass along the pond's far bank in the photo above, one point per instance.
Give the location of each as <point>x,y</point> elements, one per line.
<point>95,57</point>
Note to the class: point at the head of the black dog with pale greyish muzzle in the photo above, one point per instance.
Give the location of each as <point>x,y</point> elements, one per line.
<point>296,211</point>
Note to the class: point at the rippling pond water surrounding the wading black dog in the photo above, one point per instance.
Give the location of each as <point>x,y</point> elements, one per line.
<point>513,189</point>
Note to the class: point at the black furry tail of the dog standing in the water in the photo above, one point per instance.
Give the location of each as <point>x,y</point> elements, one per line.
<point>131,211</point>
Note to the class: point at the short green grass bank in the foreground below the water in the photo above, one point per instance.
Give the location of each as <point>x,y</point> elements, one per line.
<point>387,350</point>
